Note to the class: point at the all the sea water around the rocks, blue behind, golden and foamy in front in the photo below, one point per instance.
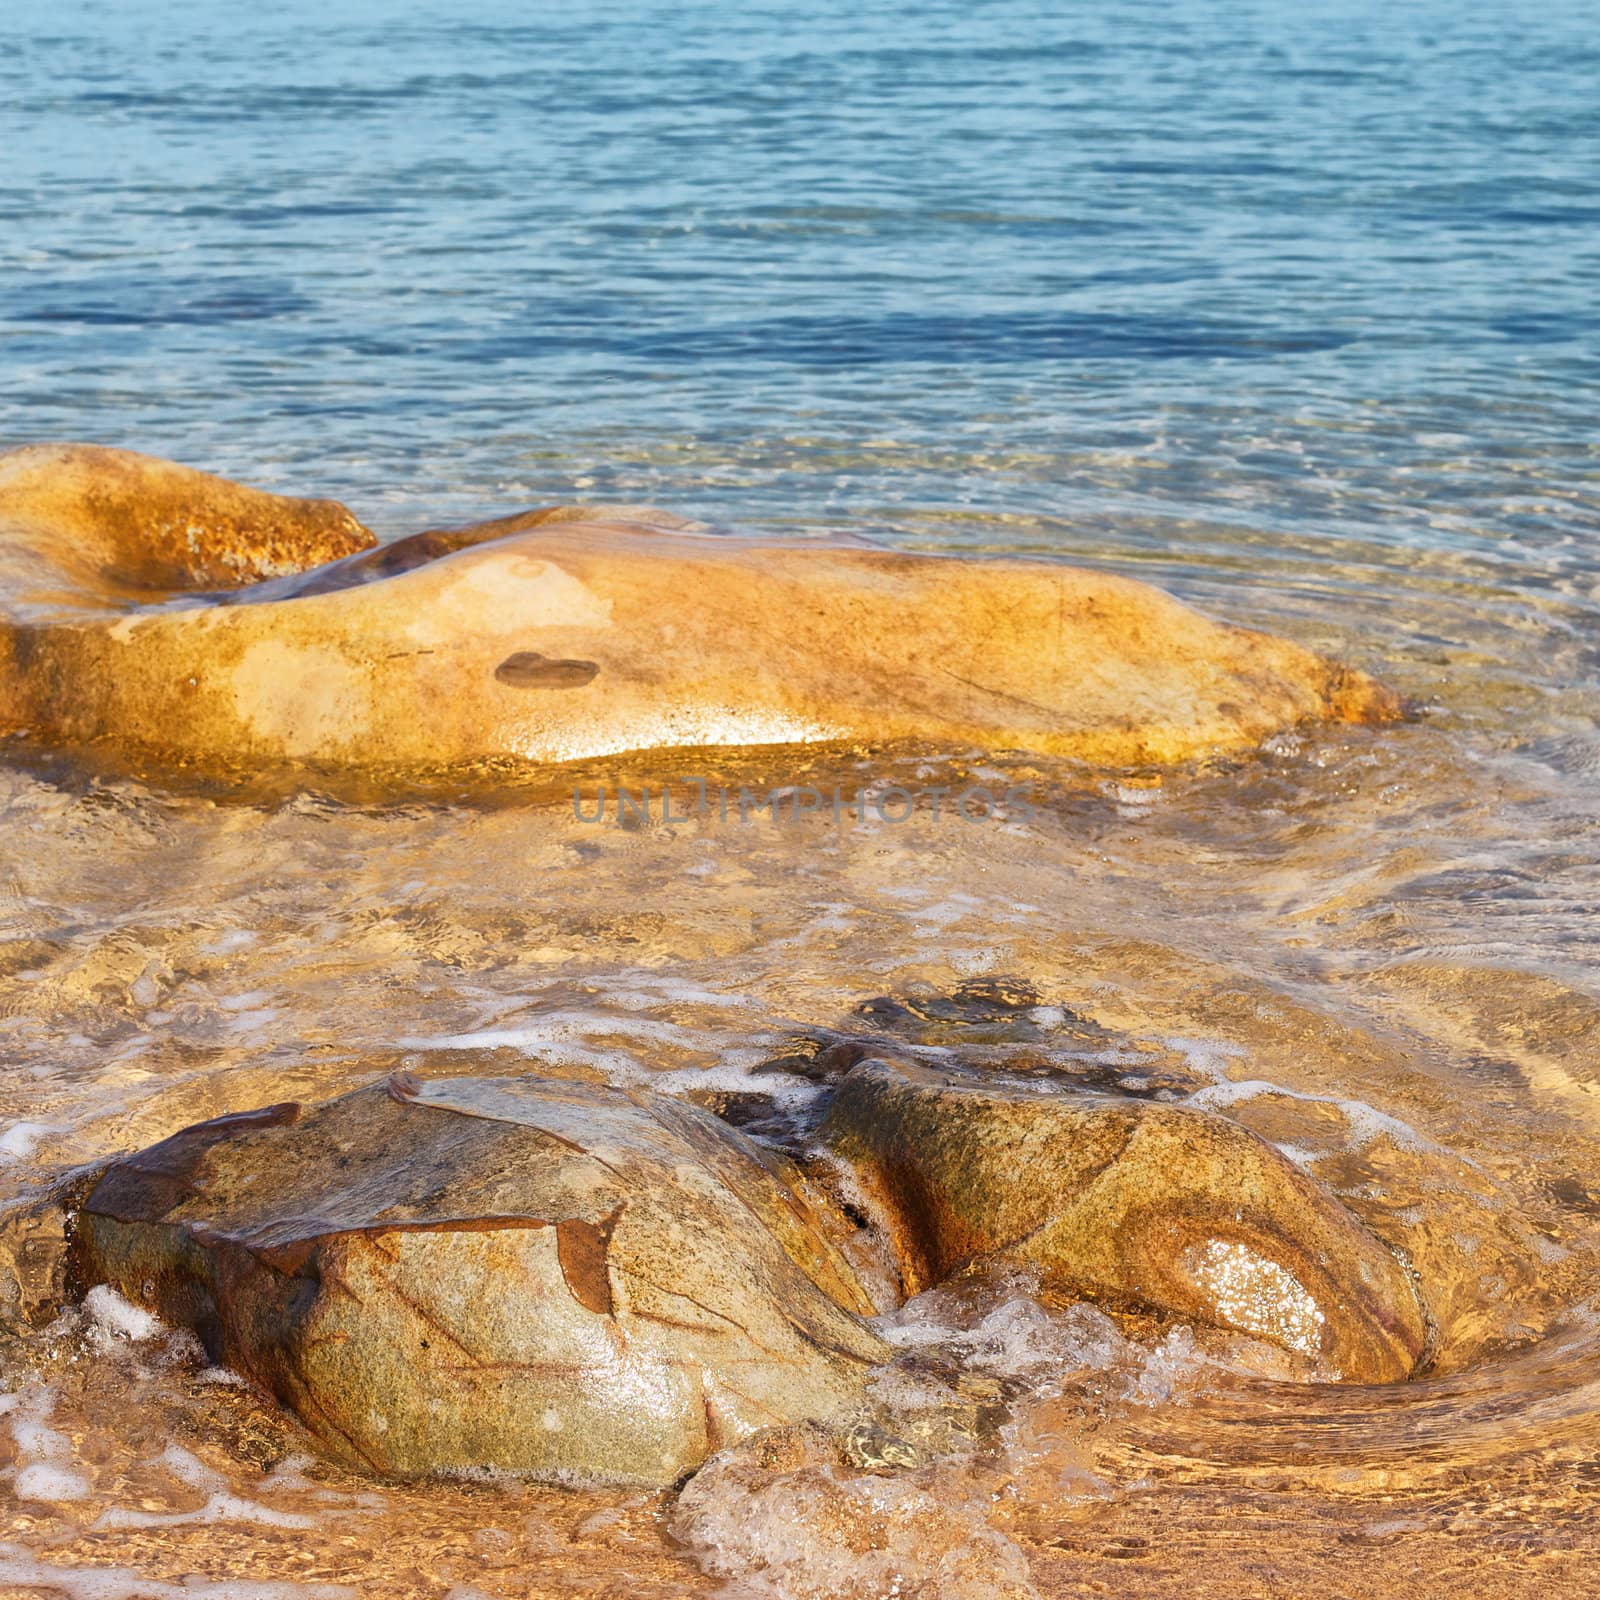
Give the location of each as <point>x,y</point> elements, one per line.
<point>1289,310</point>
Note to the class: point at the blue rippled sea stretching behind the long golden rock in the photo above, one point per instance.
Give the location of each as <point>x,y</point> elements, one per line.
<point>1172,284</point>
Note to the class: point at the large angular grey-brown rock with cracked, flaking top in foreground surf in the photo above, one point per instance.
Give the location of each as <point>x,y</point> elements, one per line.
<point>524,1274</point>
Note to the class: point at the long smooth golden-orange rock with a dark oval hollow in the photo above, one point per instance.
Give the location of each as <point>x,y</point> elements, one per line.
<point>580,633</point>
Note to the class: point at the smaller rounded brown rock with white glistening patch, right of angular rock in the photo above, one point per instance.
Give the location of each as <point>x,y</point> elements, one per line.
<point>1130,1202</point>
